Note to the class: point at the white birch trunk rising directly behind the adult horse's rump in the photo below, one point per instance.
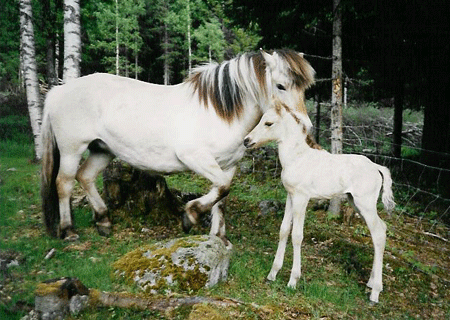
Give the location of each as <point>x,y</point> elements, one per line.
<point>72,39</point>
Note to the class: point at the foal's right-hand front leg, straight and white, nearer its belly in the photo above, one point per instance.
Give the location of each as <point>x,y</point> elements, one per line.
<point>299,204</point>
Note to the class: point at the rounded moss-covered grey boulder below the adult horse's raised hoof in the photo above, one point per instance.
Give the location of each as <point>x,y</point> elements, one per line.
<point>184,264</point>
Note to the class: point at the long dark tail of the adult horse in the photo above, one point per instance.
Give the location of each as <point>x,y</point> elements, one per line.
<point>50,167</point>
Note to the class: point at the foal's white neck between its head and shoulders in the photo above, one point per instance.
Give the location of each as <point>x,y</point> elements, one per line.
<point>292,148</point>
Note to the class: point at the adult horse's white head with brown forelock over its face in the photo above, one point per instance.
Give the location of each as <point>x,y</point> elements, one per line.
<point>288,75</point>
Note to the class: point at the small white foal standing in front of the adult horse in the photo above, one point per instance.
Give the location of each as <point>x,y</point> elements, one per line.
<point>311,173</point>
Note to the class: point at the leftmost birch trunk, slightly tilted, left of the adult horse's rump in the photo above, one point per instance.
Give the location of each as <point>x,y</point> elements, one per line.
<point>30,73</point>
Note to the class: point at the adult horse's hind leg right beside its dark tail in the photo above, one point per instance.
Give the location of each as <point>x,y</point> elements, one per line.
<point>64,185</point>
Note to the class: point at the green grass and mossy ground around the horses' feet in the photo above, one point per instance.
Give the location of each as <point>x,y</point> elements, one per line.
<point>336,257</point>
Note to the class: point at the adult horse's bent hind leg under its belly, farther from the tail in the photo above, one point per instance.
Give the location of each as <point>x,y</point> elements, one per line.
<point>86,176</point>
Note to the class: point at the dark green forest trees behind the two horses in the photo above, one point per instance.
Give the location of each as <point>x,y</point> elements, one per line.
<point>396,52</point>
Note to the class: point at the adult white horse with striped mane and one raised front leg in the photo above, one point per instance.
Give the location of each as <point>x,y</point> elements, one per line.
<point>197,125</point>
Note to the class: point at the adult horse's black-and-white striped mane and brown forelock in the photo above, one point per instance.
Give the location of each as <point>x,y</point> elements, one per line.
<point>223,85</point>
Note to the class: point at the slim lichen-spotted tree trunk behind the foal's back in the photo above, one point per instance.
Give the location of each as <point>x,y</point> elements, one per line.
<point>336,94</point>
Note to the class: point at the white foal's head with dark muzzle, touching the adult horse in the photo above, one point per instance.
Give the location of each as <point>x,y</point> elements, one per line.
<point>278,124</point>
